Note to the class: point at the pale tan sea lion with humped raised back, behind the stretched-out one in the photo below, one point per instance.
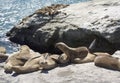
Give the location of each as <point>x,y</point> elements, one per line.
<point>18,58</point>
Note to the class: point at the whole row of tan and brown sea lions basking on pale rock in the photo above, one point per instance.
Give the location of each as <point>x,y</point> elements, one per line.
<point>26,60</point>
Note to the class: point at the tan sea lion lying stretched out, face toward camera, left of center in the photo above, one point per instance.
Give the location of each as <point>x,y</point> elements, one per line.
<point>36,63</point>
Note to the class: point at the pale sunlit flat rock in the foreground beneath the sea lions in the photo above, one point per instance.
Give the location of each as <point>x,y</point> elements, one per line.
<point>84,73</point>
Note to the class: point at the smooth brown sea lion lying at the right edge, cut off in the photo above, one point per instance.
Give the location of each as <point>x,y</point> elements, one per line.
<point>108,62</point>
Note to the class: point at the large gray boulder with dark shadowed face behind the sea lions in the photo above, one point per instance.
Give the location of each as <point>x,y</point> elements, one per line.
<point>76,25</point>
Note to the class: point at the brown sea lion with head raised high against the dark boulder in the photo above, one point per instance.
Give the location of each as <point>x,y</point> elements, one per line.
<point>75,55</point>
